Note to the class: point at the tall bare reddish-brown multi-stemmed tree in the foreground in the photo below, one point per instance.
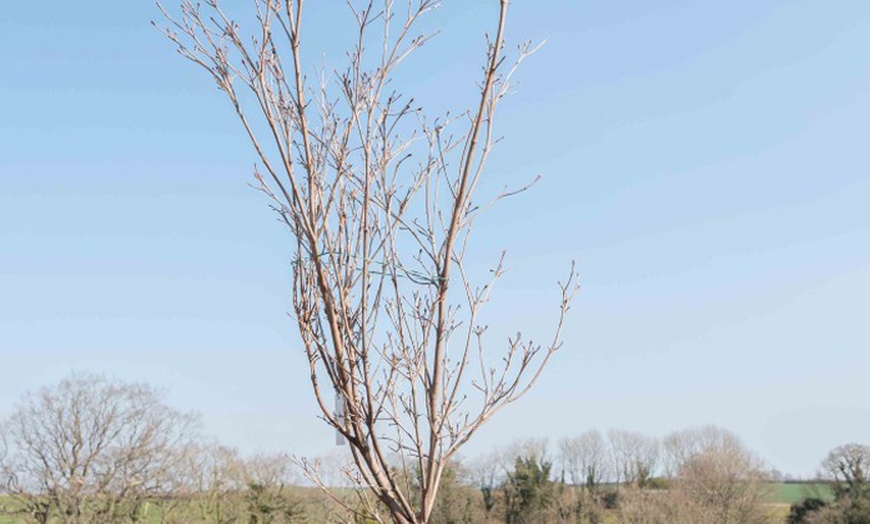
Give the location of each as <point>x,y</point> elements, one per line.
<point>379,200</point>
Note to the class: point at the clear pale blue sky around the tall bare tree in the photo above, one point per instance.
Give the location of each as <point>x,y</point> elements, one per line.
<point>705,162</point>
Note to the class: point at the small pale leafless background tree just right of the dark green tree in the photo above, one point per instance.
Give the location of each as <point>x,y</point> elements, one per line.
<point>584,459</point>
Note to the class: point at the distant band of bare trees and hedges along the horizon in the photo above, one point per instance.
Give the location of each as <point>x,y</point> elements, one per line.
<point>89,450</point>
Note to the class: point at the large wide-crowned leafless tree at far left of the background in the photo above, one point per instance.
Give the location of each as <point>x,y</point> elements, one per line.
<point>88,450</point>
